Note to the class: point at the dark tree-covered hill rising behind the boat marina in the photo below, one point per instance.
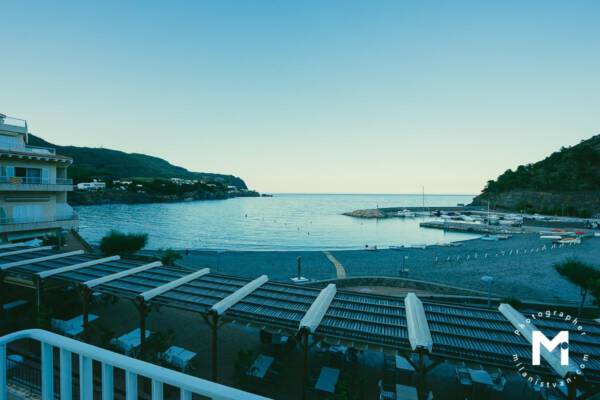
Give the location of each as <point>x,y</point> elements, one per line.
<point>565,183</point>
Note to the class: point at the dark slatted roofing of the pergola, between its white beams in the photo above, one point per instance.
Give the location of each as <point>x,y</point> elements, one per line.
<point>377,322</point>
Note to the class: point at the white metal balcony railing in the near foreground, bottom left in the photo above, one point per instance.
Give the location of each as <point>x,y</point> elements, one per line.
<point>109,360</point>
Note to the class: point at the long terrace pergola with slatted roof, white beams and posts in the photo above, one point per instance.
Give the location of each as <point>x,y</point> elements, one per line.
<point>434,332</point>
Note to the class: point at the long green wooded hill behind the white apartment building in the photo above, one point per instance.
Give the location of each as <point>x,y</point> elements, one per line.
<point>89,162</point>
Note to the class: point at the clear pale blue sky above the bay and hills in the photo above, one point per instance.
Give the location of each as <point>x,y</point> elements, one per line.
<point>324,96</point>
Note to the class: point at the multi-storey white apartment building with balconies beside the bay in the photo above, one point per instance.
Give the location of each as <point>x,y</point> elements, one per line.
<point>33,186</point>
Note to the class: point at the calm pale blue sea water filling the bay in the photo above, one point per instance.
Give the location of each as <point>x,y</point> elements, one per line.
<point>282,222</point>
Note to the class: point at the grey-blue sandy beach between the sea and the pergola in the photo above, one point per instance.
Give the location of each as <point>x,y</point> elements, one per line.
<point>522,266</point>
